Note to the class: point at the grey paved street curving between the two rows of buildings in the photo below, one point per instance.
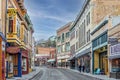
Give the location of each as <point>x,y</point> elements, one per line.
<point>61,74</point>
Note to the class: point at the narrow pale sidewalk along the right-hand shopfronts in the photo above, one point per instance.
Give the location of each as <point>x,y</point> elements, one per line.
<point>101,77</point>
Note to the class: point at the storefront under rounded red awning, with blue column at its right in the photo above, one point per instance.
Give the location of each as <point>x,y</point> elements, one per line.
<point>13,62</point>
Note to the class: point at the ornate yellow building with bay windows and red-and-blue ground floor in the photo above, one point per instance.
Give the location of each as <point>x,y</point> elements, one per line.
<point>19,39</point>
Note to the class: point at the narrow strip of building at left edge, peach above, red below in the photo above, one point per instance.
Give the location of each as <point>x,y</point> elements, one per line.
<point>2,38</point>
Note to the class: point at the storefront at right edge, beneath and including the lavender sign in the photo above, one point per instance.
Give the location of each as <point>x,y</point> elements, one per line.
<point>114,59</point>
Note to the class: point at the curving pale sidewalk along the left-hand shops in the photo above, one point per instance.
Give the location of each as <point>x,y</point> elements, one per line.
<point>27,76</point>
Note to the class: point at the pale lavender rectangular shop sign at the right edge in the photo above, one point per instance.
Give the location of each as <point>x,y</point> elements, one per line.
<point>115,50</point>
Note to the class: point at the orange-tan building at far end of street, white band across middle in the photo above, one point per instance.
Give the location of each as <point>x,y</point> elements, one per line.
<point>42,56</point>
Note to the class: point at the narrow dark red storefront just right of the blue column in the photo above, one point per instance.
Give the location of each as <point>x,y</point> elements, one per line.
<point>25,64</point>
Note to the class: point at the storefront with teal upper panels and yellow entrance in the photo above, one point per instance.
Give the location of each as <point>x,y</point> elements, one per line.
<point>100,53</point>
